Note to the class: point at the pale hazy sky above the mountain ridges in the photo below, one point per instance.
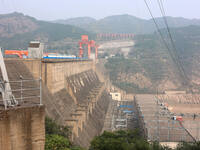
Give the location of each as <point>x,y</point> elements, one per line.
<point>63,9</point>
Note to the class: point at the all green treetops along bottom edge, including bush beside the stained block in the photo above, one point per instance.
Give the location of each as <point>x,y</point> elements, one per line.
<point>57,138</point>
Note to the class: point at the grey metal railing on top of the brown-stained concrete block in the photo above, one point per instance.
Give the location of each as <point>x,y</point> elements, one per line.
<point>24,91</point>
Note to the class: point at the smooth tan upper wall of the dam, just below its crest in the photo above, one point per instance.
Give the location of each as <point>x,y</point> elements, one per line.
<point>55,72</point>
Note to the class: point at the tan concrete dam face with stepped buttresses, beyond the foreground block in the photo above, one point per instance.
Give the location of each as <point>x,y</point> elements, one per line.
<point>74,94</point>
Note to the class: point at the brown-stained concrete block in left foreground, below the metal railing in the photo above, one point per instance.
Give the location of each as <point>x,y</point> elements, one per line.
<point>22,129</point>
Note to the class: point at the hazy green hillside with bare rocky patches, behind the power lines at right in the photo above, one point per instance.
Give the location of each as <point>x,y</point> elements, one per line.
<point>150,68</point>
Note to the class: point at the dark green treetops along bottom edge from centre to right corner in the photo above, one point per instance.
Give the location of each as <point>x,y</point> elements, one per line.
<point>131,140</point>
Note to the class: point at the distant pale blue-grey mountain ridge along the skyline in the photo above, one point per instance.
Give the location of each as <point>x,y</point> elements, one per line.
<point>126,24</point>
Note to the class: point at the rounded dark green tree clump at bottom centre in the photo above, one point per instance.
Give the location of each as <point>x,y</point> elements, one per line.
<point>119,140</point>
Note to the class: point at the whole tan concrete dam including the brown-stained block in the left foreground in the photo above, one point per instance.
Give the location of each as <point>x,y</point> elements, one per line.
<point>73,93</point>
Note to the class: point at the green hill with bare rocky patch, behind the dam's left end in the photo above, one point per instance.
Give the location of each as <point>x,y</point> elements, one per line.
<point>17,30</point>
